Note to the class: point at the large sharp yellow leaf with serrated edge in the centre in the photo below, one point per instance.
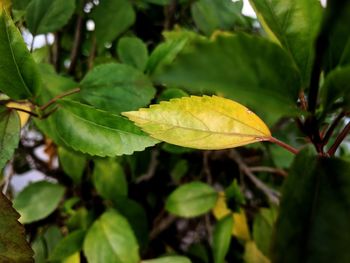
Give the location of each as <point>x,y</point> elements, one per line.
<point>201,122</point>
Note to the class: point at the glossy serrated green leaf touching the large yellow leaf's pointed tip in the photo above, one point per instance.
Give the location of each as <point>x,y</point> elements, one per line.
<point>97,132</point>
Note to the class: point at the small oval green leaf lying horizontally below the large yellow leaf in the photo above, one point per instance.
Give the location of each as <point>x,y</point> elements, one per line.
<point>191,200</point>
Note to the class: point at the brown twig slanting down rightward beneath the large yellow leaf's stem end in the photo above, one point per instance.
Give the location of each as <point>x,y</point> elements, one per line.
<point>271,194</point>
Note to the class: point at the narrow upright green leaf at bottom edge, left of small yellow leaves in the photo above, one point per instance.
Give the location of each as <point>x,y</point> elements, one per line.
<point>222,238</point>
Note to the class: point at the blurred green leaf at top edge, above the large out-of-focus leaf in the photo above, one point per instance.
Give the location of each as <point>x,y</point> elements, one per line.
<point>211,15</point>
